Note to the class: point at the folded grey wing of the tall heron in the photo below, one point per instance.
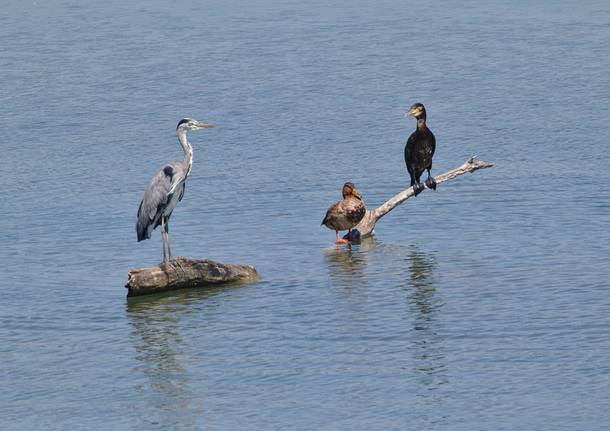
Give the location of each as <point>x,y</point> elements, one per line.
<point>154,200</point>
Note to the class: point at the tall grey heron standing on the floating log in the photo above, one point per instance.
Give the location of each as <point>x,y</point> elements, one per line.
<point>166,189</point>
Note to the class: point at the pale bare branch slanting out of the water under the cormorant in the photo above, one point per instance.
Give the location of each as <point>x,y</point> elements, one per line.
<point>367,224</point>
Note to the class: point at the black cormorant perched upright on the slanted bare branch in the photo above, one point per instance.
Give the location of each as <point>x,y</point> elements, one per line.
<point>419,150</point>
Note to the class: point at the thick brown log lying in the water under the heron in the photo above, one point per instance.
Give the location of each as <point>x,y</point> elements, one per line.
<point>182,272</point>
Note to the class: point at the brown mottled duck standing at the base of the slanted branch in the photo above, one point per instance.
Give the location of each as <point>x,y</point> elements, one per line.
<point>345,214</point>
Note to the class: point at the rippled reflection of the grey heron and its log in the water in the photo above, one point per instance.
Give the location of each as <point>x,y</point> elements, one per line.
<point>156,327</point>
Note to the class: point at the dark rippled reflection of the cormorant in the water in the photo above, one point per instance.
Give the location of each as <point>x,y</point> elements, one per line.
<point>425,307</point>
